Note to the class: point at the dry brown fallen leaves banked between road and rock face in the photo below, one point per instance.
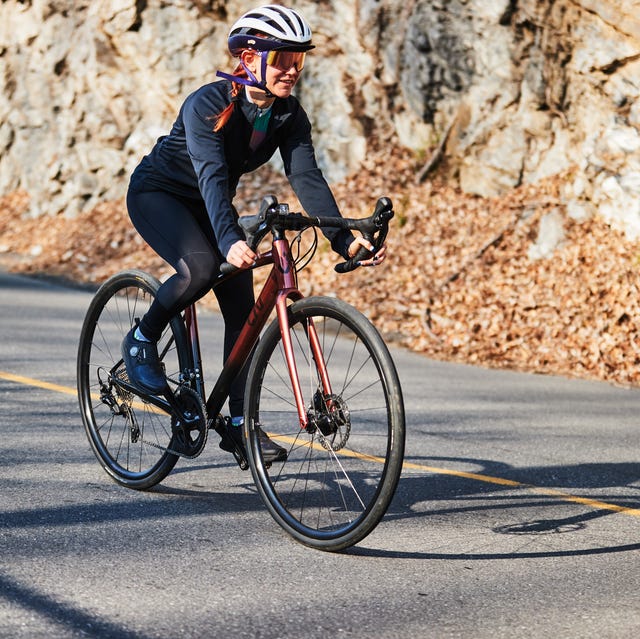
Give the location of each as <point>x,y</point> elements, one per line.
<point>458,284</point>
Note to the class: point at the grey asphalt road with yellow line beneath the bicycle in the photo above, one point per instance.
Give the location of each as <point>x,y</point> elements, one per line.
<point>518,514</point>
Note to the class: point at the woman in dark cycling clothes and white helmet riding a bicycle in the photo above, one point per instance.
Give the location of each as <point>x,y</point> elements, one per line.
<point>180,195</point>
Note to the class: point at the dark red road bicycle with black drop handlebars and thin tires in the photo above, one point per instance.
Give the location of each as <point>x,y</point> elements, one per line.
<point>321,383</point>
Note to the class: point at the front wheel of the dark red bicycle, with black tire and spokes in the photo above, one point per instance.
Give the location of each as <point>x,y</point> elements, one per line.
<point>333,488</point>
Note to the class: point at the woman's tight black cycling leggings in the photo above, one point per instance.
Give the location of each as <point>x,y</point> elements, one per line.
<point>179,231</point>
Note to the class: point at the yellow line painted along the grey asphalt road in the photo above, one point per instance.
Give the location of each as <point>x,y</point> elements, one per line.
<point>487,479</point>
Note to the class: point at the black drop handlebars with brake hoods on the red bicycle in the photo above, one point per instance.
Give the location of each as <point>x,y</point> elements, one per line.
<point>276,218</point>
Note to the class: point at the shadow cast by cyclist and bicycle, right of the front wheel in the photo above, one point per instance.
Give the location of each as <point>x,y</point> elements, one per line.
<point>464,496</point>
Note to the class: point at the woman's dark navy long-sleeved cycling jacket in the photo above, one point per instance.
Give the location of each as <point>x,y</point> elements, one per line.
<point>194,162</point>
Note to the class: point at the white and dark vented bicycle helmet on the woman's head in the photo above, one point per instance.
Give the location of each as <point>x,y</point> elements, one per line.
<point>268,28</point>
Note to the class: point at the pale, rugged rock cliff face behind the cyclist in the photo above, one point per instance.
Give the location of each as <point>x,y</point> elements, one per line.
<point>510,91</point>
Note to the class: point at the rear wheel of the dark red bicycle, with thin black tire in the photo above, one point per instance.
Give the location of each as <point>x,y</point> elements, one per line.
<point>129,437</point>
